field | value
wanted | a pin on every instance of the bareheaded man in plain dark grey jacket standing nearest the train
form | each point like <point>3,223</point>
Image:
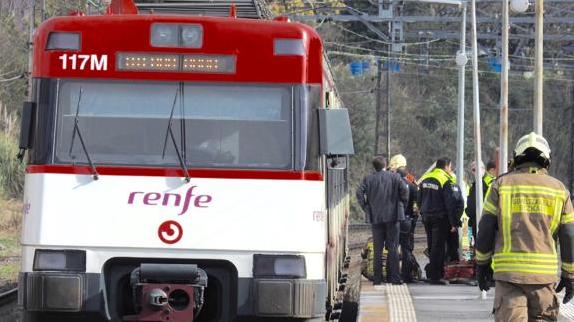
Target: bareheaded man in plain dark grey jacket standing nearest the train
<point>382,196</point>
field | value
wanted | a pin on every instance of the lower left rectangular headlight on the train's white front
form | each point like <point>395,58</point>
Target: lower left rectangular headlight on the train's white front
<point>60,260</point>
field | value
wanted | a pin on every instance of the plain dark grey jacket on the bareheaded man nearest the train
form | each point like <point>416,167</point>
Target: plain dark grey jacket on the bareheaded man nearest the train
<point>382,196</point>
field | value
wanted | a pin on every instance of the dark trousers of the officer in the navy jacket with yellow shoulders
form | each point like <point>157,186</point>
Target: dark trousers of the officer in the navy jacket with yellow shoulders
<point>439,231</point>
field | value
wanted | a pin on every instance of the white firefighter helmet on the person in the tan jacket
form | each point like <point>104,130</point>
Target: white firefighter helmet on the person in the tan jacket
<point>534,148</point>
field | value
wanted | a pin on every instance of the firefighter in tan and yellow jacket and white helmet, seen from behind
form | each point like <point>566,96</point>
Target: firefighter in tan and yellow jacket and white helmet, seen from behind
<point>525,212</point>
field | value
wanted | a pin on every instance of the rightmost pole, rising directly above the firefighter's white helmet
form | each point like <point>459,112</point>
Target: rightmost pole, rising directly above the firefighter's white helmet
<point>539,79</point>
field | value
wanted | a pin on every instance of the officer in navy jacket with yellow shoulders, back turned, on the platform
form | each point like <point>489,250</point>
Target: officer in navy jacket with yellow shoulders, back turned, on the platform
<point>438,209</point>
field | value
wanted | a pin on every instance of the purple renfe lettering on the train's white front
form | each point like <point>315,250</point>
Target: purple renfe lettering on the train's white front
<point>170,199</point>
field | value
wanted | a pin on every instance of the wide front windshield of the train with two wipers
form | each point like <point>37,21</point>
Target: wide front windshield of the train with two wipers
<point>149,123</point>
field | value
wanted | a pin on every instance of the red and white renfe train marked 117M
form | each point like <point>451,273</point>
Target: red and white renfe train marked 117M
<point>182,168</point>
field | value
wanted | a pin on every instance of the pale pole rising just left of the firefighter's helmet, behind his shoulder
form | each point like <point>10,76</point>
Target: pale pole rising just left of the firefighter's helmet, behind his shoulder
<point>503,132</point>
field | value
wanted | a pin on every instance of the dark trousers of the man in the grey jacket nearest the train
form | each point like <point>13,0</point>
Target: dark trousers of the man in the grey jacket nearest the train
<point>386,235</point>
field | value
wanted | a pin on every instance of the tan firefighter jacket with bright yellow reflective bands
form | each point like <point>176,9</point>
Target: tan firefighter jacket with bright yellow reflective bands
<point>525,212</point>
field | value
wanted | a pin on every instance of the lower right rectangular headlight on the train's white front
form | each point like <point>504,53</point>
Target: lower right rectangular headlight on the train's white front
<point>279,266</point>
